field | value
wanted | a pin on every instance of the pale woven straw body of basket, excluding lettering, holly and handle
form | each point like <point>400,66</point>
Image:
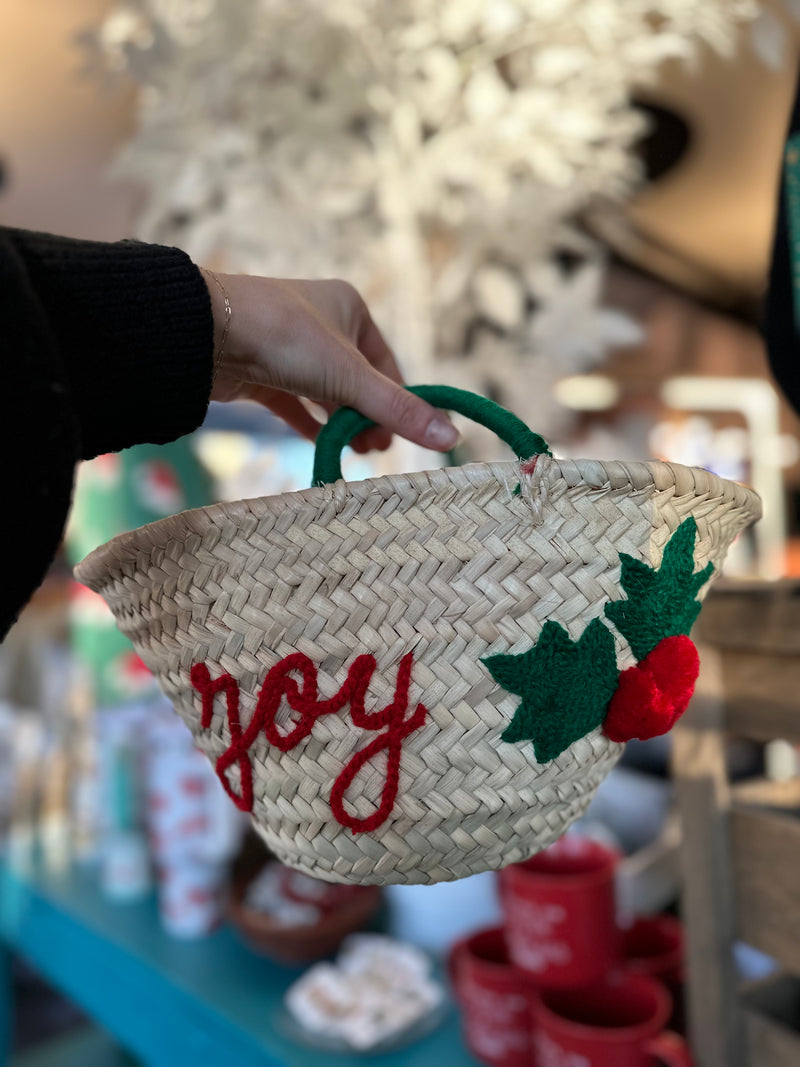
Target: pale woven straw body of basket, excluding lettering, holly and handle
<point>451,566</point>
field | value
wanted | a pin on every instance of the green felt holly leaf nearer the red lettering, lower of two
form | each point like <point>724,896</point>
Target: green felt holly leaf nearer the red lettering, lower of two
<point>566,687</point>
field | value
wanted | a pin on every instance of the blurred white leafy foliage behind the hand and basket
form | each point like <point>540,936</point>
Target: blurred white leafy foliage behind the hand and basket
<point>430,151</point>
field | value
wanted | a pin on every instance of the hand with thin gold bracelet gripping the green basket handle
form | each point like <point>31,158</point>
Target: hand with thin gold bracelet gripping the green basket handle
<point>316,340</point>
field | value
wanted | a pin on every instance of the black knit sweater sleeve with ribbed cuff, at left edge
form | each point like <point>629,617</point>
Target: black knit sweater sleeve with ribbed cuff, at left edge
<point>104,346</point>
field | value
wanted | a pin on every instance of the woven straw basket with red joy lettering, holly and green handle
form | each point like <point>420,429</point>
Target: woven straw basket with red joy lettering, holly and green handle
<point>331,649</point>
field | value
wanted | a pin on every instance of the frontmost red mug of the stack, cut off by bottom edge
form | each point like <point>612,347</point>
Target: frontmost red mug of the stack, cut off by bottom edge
<point>619,1023</point>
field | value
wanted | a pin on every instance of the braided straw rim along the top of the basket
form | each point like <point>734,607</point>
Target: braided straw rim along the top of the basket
<point>127,549</point>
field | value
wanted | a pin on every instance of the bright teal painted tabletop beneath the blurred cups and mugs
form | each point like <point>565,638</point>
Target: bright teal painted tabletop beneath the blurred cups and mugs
<point>204,1002</point>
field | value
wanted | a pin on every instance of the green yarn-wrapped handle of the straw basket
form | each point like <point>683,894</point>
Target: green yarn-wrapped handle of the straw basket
<point>345,424</point>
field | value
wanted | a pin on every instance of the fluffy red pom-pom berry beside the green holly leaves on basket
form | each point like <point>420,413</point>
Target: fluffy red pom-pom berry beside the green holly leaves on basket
<point>652,696</point>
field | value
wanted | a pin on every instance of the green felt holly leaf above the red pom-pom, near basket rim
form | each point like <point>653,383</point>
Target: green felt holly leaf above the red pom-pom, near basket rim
<point>662,601</point>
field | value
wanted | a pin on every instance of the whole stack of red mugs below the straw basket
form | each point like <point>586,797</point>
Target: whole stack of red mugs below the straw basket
<point>561,984</point>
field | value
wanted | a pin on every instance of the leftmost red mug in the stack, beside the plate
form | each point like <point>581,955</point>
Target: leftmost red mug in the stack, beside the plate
<point>495,1000</point>
